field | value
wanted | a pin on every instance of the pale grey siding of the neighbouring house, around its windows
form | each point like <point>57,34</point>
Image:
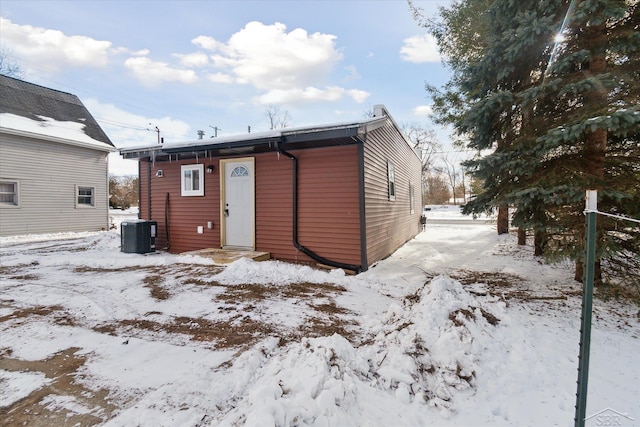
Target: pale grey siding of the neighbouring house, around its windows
<point>48,173</point>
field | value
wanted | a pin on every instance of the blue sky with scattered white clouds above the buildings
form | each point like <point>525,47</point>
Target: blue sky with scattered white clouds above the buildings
<point>186,66</point>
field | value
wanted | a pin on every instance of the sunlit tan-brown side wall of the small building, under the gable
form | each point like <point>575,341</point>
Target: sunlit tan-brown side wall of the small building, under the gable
<point>389,224</point>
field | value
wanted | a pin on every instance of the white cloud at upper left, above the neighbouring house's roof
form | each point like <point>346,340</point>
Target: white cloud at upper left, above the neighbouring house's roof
<point>52,50</point>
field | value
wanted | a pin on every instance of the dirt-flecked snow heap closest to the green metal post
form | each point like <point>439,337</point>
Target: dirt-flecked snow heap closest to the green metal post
<point>427,352</point>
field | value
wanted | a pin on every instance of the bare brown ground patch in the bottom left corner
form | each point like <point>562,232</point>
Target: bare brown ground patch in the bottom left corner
<point>39,408</point>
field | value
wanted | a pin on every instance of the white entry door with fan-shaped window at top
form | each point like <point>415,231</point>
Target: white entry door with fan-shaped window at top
<point>237,203</point>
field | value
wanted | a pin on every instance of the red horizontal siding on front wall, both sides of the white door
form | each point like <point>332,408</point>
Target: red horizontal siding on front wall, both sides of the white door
<point>328,208</point>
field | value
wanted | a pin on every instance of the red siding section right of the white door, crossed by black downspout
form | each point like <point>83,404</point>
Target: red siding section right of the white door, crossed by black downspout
<point>328,215</point>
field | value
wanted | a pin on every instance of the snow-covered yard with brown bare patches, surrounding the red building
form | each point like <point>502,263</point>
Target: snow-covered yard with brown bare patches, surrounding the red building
<point>460,327</point>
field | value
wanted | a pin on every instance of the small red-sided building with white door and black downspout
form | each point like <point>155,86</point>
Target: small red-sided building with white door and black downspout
<point>344,195</point>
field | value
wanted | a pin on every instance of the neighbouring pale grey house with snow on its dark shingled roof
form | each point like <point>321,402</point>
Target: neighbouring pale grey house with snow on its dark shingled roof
<point>53,162</point>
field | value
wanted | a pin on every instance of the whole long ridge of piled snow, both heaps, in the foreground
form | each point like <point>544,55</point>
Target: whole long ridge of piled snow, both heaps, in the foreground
<point>422,354</point>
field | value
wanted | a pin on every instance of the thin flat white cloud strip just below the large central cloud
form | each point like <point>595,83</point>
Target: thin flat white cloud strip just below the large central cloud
<point>309,94</point>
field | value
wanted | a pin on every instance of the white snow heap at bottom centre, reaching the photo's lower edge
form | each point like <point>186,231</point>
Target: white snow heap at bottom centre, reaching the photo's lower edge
<point>314,382</point>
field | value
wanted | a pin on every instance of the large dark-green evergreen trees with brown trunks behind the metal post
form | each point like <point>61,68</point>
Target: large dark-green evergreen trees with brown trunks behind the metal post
<point>547,93</point>
